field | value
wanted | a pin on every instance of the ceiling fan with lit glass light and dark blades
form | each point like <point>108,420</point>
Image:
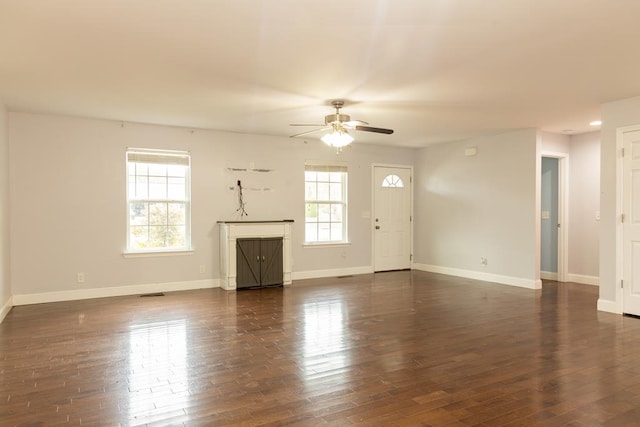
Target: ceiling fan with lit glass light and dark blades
<point>338,126</point>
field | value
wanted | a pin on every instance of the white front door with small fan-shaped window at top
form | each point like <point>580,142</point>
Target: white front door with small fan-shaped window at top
<point>392,218</point>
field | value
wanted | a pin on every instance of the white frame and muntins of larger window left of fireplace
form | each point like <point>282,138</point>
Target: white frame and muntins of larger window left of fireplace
<point>136,156</point>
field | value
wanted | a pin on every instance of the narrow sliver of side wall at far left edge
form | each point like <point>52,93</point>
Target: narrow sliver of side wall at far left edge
<point>5,276</point>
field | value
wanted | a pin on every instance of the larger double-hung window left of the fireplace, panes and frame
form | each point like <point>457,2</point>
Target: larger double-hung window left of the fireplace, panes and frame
<point>158,198</point>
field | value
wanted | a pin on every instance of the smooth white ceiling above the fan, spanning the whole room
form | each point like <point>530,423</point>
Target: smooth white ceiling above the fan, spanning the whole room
<point>433,70</point>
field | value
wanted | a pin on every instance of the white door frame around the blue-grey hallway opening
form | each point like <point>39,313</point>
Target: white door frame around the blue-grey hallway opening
<point>563,212</point>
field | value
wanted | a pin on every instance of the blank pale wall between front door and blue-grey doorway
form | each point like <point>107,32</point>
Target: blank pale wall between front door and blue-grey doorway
<point>479,206</point>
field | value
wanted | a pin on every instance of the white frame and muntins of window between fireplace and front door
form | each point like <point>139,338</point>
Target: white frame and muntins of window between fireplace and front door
<point>327,167</point>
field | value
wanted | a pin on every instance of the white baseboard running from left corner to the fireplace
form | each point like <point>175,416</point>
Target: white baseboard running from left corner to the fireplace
<point>113,291</point>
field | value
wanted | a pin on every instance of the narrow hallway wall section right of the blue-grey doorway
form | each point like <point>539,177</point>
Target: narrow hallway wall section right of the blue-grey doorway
<point>584,203</point>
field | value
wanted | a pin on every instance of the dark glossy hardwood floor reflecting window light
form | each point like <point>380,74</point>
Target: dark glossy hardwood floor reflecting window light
<point>400,349</point>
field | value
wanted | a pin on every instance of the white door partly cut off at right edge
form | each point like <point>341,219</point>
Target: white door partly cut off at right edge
<point>631,223</point>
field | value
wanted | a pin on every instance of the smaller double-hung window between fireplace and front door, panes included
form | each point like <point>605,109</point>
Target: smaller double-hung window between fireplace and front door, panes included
<point>325,203</point>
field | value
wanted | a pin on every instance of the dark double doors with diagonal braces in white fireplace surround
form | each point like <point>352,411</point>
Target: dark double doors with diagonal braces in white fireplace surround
<point>259,262</point>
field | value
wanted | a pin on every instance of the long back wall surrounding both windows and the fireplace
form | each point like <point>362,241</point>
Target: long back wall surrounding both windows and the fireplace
<point>68,202</point>
